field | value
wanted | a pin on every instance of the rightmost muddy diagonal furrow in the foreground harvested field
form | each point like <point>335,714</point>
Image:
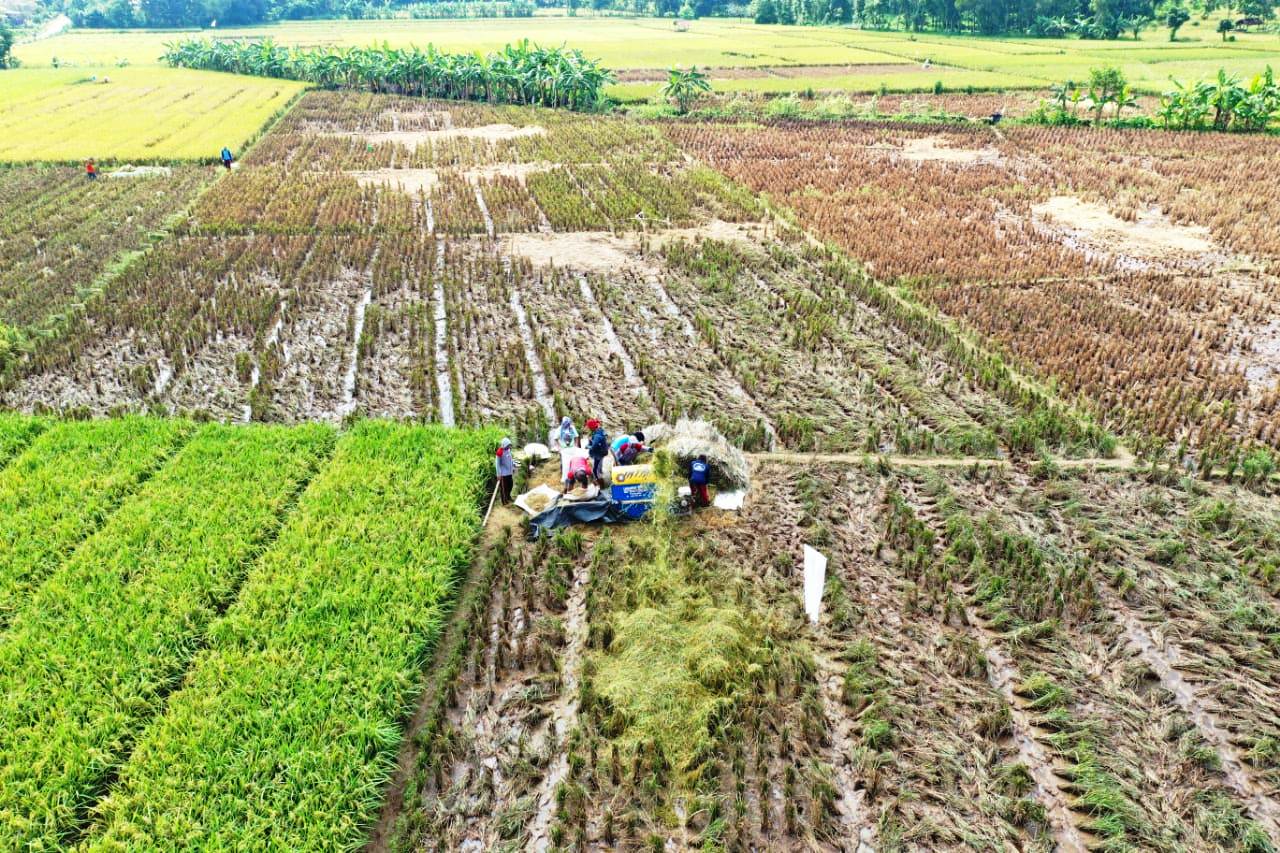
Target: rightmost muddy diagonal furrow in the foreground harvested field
<point>1261,805</point>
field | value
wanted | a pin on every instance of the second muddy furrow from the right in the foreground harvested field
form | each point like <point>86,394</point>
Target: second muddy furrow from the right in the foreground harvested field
<point>1003,677</point>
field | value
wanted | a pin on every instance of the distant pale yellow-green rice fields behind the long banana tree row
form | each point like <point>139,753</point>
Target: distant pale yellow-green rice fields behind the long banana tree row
<point>836,58</point>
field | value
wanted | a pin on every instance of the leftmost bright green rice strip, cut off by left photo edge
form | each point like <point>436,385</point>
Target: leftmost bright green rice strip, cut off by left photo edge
<point>65,486</point>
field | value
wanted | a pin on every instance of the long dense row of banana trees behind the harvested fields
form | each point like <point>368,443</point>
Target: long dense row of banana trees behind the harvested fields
<point>520,74</point>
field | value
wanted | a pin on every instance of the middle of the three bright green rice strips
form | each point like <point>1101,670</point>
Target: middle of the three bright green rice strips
<point>124,617</point>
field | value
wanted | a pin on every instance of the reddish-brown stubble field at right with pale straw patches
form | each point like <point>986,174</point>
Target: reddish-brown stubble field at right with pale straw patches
<point>1136,268</point>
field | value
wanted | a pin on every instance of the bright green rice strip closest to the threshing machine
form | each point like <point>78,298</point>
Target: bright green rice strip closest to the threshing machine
<point>286,729</point>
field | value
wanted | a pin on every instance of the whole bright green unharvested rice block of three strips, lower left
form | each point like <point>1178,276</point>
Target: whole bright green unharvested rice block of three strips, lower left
<point>258,589</point>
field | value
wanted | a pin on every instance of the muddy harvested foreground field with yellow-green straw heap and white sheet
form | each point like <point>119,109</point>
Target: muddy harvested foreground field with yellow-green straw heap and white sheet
<point>998,667</point>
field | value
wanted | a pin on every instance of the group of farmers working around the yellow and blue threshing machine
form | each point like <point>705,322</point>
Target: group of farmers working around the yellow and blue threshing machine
<point>584,475</point>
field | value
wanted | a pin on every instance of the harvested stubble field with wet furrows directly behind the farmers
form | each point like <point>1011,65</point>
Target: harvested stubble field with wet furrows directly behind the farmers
<point>469,264</point>
